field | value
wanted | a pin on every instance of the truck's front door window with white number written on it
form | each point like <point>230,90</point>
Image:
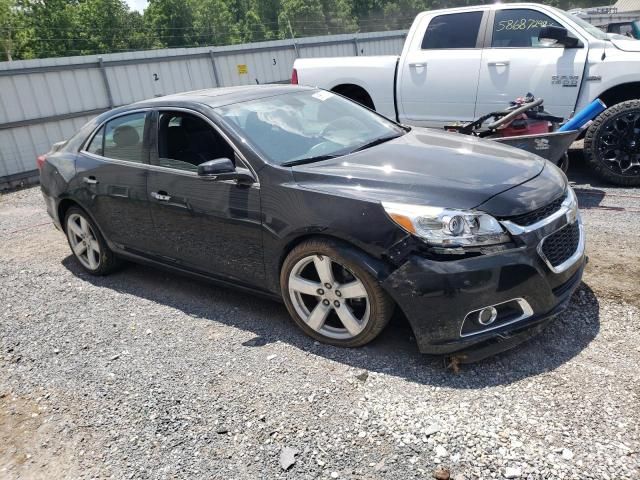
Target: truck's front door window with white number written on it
<point>519,28</point>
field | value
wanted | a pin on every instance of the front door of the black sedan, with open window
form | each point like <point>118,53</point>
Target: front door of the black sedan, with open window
<point>209,226</point>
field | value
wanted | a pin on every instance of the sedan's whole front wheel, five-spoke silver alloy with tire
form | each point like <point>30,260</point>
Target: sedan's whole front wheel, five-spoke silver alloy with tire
<point>332,299</point>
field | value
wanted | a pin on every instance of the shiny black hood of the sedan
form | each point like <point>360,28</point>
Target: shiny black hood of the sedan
<point>425,167</point>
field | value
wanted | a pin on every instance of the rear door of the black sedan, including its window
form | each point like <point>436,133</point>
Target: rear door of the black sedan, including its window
<point>113,180</point>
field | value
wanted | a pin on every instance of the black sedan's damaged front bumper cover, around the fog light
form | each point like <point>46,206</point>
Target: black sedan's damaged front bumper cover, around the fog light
<point>436,296</point>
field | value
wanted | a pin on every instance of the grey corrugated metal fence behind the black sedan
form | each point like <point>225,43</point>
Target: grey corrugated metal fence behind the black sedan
<point>47,100</point>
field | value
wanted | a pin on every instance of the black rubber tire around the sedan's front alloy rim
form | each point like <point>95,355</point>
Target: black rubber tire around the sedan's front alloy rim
<point>381,305</point>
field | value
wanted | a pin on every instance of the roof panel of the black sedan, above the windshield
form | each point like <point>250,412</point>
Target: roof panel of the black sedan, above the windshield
<point>217,97</point>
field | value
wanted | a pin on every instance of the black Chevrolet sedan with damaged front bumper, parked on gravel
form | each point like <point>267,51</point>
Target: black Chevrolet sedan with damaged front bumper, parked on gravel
<point>300,194</point>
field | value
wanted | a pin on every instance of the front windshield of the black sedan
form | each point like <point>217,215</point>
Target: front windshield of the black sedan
<point>307,126</point>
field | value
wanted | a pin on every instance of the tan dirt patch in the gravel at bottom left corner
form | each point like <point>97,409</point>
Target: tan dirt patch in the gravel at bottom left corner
<point>31,444</point>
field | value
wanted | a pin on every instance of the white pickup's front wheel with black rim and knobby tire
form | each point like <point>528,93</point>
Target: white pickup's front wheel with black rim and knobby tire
<point>612,144</point>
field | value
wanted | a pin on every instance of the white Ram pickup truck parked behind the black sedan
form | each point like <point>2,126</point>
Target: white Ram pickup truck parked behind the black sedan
<point>460,63</point>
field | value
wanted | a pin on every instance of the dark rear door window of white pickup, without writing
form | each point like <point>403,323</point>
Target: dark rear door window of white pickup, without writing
<point>458,30</point>
